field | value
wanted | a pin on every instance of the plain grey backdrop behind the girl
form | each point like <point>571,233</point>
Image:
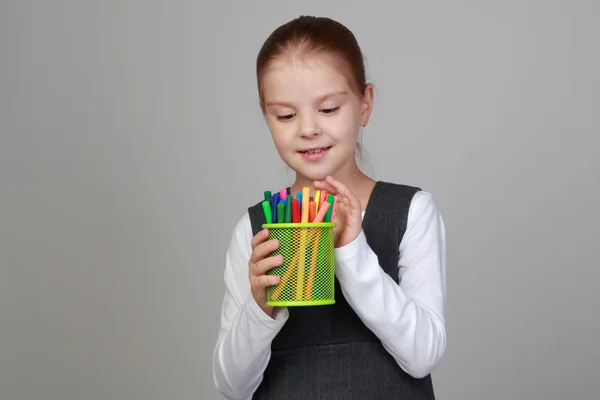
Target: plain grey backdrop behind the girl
<point>126,124</point>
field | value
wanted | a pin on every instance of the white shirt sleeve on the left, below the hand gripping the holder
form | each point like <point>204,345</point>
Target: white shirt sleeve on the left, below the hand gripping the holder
<point>243,347</point>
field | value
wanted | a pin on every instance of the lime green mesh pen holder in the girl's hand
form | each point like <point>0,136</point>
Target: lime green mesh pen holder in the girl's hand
<point>307,273</point>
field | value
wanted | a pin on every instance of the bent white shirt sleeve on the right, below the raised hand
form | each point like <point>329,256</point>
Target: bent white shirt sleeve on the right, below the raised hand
<point>409,317</point>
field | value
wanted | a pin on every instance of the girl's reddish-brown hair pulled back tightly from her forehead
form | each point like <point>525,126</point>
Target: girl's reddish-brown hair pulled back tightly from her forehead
<point>308,34</point>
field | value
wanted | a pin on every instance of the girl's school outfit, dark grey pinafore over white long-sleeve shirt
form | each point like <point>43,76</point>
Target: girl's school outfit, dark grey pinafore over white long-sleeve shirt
<point>382,337</point>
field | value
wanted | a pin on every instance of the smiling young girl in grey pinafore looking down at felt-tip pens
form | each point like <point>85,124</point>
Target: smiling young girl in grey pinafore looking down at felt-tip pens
<point>386,332</point>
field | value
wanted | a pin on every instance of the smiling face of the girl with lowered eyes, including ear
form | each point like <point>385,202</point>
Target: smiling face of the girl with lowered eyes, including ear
<point>313,115</point>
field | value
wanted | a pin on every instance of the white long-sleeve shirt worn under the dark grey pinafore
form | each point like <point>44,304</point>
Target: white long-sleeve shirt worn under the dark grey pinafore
<point>408,318</point>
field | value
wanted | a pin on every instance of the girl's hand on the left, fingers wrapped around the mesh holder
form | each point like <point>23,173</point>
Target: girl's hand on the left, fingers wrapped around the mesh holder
<point>259,264</point>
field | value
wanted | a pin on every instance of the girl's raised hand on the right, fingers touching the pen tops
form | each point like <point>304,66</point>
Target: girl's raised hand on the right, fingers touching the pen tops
<point>348,212</point>
